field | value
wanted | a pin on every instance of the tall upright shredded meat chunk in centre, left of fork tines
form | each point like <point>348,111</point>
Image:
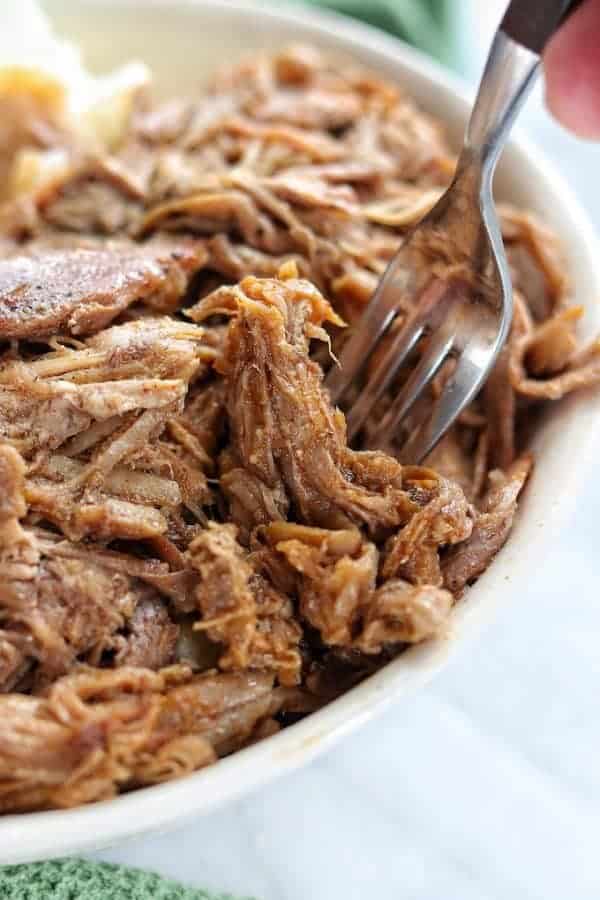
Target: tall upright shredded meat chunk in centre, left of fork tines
<point>284,431</point>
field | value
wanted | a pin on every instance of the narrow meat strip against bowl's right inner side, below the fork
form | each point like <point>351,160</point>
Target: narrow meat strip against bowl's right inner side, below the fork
<point>465,562</point>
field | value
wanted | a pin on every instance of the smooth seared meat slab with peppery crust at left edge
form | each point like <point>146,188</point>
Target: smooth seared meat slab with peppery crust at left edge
<point>81,291</point>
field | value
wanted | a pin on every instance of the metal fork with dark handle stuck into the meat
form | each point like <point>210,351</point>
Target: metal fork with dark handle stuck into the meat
<point>449,284</point>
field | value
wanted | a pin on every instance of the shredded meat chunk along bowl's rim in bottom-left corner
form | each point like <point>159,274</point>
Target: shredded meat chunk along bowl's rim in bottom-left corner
<point>98,731</point>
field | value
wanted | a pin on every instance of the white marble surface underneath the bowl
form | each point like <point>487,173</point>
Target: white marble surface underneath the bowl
<point>485,786</point>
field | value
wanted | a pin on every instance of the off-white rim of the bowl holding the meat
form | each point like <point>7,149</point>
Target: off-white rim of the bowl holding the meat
<point>32,836</point>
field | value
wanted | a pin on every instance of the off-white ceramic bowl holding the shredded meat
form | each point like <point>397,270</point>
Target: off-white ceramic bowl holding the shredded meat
<point>182,42</point>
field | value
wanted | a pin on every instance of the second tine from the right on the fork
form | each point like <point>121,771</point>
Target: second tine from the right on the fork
<point>441,344</point>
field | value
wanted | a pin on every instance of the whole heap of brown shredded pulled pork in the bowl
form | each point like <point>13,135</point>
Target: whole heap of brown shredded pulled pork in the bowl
<point>191,553</point>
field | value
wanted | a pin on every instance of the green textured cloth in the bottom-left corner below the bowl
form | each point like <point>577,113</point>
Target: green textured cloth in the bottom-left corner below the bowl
<point>79,879</point>
